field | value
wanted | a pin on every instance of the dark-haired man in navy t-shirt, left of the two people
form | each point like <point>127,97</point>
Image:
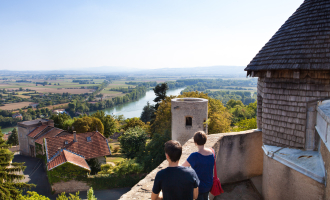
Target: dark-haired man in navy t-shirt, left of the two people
<point>176,182</point>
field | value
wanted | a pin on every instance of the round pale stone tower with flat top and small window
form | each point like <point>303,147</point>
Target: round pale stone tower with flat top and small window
<point>188,117</point>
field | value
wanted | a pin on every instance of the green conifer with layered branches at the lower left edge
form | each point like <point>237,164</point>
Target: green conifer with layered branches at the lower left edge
<point>9,176</point>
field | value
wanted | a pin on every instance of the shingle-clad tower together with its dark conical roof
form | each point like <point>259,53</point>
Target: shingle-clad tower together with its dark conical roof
<point>294,73</point>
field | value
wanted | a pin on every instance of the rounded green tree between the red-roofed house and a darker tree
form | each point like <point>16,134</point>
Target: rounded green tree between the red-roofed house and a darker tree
<point>132,140</point>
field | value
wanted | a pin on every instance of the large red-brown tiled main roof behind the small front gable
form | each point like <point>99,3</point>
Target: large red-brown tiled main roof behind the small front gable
<point>98,146</point>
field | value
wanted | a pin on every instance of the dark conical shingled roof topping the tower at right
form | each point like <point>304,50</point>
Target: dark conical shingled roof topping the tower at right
<point>302,43</point>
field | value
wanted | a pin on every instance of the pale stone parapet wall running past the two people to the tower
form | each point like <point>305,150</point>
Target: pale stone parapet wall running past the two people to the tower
<point>239,157</point>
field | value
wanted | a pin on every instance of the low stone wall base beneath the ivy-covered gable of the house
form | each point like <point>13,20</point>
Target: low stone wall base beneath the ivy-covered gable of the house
<point>69,186</point>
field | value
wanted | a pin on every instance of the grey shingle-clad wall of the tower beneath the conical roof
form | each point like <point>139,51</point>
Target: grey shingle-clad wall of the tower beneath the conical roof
<point>288,110</point>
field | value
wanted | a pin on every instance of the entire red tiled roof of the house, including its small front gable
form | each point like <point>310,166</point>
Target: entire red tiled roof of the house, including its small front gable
<point>76,149</point>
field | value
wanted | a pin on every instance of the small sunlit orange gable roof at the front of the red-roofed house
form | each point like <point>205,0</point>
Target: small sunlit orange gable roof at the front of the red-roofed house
<point>67,156</point>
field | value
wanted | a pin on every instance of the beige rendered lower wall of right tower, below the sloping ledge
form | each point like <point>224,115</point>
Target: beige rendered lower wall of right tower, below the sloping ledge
<point>281,182</point>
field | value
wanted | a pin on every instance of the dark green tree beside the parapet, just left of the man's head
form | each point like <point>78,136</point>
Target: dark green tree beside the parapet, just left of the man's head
<point>151,155</point>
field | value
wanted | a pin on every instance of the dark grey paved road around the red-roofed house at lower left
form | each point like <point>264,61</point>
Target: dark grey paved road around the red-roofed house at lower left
<point>36,174</point>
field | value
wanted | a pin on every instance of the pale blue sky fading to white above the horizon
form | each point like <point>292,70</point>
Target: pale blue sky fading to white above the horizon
<point>148,34</point>
